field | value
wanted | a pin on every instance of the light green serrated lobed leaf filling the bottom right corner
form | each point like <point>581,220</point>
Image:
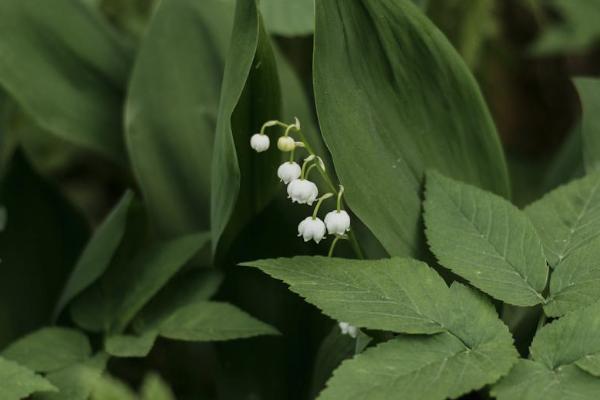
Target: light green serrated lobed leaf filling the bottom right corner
<point>561,351</point>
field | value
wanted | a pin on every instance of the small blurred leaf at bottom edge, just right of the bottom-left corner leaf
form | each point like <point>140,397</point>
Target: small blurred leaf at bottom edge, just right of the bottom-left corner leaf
<point>77,381</point>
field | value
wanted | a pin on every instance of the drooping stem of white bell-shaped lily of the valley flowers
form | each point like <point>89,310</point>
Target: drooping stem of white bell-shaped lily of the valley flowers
<point>300,188</point>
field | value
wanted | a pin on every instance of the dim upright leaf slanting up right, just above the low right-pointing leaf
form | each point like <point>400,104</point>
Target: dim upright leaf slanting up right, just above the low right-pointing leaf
<point>126,288</point>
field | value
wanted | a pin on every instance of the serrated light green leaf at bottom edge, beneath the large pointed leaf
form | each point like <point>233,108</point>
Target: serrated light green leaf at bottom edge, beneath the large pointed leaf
<point>423,367</point>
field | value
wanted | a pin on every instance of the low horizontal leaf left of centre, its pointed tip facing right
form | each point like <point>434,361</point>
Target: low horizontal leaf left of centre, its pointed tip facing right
<point>211,321</point>
